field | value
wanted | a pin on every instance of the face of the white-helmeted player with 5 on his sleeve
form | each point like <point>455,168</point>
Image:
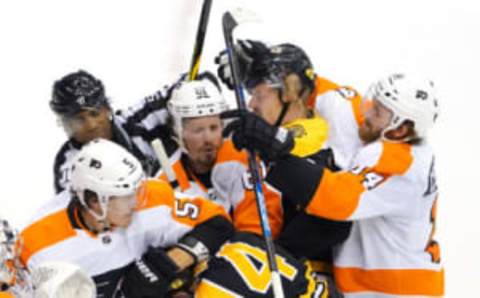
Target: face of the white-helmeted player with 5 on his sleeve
<point>121,209</point>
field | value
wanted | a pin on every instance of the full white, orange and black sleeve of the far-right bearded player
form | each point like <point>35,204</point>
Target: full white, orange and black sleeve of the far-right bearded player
<point>375,186</point>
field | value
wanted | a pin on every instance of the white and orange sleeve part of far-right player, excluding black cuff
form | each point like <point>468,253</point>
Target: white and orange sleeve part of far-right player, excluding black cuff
<point>375,186</point>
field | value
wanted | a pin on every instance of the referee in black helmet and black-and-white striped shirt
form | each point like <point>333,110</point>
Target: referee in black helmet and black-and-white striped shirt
<point>84,111</point>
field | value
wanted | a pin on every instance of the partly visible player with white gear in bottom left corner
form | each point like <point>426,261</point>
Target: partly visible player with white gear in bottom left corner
<point>49,280</point>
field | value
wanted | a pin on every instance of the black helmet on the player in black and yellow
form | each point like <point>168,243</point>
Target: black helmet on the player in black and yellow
<point>274,65</point>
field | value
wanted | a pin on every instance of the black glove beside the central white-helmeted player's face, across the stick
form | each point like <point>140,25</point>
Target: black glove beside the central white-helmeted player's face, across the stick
<point>252,132</point>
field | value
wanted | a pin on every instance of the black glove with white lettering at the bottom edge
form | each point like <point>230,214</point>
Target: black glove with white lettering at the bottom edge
<point>154,275</point>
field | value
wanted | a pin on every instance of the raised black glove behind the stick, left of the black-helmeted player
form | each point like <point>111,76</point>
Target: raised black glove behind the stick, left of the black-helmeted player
<point>247,51</point>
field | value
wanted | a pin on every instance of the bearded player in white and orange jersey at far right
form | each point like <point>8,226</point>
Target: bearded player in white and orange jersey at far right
<point>389,192</point>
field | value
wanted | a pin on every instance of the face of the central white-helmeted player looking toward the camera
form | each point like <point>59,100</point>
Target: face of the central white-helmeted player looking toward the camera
<point>203,137</point>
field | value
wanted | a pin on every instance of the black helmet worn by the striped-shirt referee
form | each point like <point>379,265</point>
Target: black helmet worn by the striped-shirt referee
<point>76,91</point>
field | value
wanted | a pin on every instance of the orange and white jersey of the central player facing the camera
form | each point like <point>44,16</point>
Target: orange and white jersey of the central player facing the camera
<point>229,185</point>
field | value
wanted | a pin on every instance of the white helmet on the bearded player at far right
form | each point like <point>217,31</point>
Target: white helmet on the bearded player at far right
<point>408,98</point>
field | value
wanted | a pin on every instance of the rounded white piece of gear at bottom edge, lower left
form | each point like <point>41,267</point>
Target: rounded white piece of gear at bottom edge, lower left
<point>60,280</point>
